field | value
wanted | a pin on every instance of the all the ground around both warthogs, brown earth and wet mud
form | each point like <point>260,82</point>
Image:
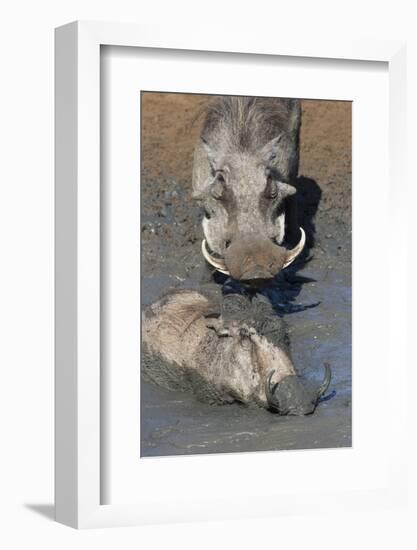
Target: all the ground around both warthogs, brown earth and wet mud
<point>174,423</point>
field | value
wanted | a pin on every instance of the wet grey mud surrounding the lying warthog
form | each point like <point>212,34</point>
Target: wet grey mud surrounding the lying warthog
<point>176,423</point>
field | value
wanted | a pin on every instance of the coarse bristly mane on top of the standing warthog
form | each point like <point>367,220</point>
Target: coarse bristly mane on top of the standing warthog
<point>248,123</point>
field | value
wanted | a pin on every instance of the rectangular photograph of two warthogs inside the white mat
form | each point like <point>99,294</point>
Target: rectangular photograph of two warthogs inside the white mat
<point>246,274</point>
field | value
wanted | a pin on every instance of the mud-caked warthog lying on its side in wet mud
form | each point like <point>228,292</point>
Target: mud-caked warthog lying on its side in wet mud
<point>224,350</point>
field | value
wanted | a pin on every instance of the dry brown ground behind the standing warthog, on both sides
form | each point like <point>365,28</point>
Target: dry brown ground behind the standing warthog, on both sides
<point>171,124</point>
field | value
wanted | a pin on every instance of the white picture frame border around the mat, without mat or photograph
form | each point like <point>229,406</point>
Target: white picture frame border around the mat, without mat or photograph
<point>78,410</point>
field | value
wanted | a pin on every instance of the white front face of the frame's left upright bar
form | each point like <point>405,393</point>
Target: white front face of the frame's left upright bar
<point>88,275</point>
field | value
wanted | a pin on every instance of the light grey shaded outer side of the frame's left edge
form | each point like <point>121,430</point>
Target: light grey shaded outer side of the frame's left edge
<point>66,346</point>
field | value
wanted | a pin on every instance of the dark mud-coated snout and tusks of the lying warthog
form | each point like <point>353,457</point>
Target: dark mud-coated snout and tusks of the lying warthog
<point>291,397</point>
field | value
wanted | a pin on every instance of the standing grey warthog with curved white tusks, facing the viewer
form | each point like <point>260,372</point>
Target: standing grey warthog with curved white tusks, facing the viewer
<point>244,166</point>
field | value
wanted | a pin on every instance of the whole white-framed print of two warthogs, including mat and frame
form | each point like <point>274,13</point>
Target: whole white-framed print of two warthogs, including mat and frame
<point>216,203</point>
